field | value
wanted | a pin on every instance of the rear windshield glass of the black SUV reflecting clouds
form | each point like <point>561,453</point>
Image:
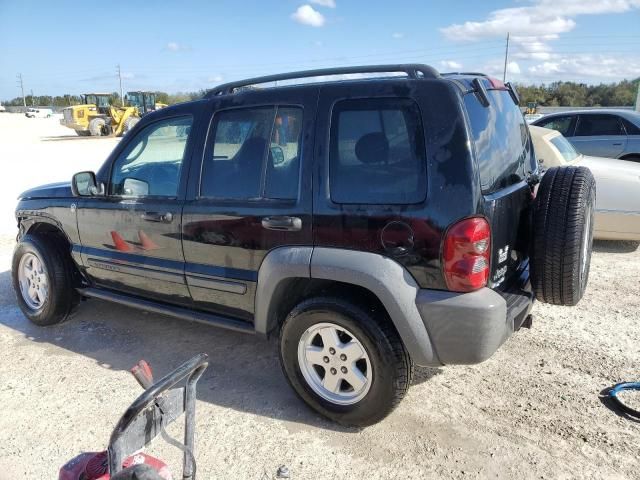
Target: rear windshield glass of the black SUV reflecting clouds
<point>501,138</point>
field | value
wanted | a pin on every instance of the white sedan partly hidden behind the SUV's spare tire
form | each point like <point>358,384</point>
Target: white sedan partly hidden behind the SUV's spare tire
<point>617,215</point>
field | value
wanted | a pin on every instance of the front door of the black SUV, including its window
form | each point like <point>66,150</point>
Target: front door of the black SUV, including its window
<point>130,237</point>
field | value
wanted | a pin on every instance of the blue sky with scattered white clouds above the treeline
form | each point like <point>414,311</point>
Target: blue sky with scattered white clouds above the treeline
<point>73,47</point>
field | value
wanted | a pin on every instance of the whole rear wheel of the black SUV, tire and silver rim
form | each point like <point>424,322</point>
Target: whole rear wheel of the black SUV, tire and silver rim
<point>345,361</point>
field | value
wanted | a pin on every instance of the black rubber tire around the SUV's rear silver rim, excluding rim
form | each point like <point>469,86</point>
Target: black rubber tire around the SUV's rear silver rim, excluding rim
<point>391,367</point>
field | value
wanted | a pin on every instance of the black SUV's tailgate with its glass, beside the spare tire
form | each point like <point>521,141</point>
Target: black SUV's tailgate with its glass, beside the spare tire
<point>504,153</point>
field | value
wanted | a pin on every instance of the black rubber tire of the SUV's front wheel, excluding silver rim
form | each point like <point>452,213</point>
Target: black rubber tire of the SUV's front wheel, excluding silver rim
<point>62,297</point>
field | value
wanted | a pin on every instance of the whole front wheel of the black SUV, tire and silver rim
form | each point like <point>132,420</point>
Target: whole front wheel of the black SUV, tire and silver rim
<point>43,280</point>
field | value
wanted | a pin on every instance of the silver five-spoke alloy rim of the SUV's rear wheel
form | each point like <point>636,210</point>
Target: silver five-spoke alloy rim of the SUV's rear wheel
<point>334,363</point>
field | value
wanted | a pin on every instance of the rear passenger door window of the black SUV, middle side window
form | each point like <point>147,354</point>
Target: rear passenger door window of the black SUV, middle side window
<point>255,154</point>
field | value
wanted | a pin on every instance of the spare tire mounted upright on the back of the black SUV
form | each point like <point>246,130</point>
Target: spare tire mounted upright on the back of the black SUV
<point>563,235</point>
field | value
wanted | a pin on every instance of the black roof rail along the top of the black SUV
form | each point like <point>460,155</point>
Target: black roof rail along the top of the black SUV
<point>413,71</point>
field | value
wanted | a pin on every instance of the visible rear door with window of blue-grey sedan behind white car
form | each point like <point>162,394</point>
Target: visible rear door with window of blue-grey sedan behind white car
<point>600,135</point>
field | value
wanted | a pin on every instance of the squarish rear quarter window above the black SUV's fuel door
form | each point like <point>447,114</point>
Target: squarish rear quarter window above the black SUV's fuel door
<point>377,153</point>
